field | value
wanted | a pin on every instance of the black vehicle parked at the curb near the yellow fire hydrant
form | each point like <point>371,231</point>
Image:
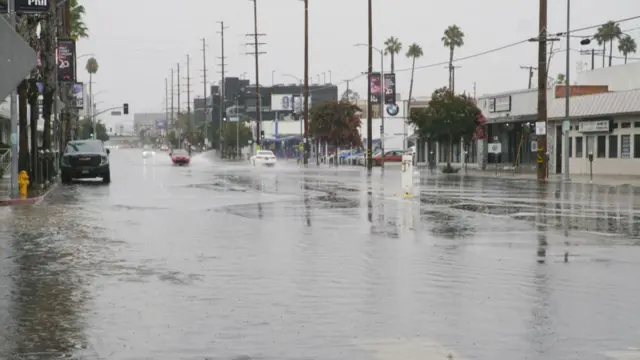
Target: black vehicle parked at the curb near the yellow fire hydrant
<point>83,159</point>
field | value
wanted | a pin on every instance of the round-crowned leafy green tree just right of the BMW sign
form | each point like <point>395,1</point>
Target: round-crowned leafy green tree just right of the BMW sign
<point>447,117</point>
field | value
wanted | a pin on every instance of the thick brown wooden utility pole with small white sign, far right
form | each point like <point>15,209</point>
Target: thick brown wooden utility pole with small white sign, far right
<point>542,157</point>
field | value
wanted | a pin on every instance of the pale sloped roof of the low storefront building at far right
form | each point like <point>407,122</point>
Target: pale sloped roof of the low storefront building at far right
<point>597,105</point>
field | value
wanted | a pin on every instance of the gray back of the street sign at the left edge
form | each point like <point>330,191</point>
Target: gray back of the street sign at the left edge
<point>17,58</point>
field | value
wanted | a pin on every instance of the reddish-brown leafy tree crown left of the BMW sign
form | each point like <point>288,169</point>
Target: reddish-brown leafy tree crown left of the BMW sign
<point>337,123</point>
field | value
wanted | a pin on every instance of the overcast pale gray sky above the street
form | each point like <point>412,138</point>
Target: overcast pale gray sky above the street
<point>138,42</point>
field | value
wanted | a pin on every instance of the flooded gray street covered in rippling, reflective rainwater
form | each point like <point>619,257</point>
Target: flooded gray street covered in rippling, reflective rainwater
<point>227,261</point>
